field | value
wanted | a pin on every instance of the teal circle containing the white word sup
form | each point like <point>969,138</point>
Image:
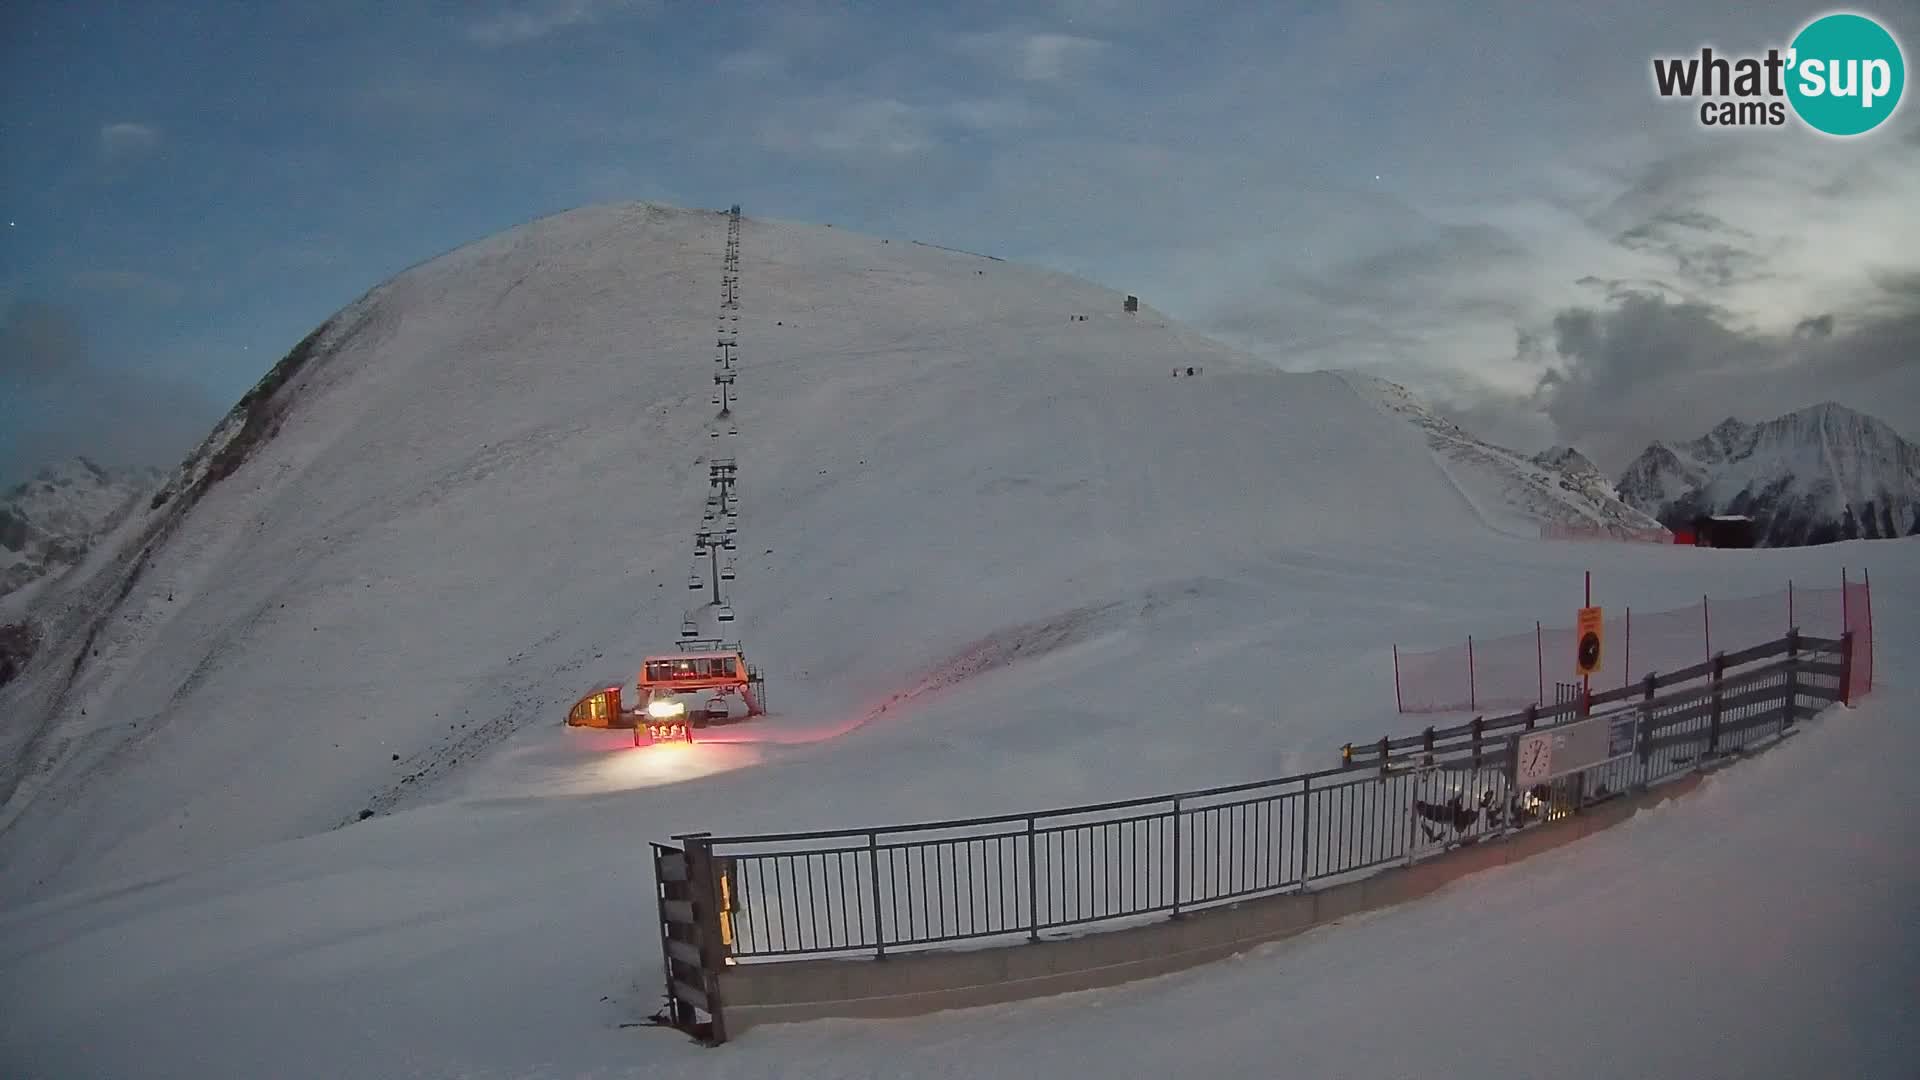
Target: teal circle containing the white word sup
<point>1846,74</point>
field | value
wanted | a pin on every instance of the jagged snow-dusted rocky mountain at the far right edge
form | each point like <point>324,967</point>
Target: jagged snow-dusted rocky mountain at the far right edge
<point>1810,478</point>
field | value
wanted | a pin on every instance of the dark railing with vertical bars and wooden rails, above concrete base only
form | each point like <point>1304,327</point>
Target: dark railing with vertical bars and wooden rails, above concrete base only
<point>1028,875</point>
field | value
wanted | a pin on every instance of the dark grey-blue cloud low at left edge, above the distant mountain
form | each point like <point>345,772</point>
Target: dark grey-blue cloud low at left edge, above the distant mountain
<point>57,401</point>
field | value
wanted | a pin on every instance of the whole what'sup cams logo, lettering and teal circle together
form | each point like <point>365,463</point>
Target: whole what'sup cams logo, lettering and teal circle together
<point>1842,76</point>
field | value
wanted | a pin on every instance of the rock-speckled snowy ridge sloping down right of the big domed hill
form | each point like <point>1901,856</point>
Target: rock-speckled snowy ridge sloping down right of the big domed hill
<point>1512,491</point>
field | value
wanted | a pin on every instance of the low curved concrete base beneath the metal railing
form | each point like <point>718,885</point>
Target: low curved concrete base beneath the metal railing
<point>909,985</point>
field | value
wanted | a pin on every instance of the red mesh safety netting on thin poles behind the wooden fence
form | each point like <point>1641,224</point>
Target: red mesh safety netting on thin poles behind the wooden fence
<point>1522,670</point>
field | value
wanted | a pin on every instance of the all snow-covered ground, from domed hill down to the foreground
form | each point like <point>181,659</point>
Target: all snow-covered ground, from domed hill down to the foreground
<point>992,558</point>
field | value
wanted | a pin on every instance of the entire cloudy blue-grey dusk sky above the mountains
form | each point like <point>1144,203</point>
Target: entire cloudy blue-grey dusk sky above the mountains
<point>1485,203</point>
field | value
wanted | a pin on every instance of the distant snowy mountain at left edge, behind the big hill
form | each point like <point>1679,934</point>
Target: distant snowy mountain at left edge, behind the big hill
<point>49,522</point>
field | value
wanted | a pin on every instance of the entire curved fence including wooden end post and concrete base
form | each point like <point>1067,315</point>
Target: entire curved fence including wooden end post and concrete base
<point>909,920</point>
